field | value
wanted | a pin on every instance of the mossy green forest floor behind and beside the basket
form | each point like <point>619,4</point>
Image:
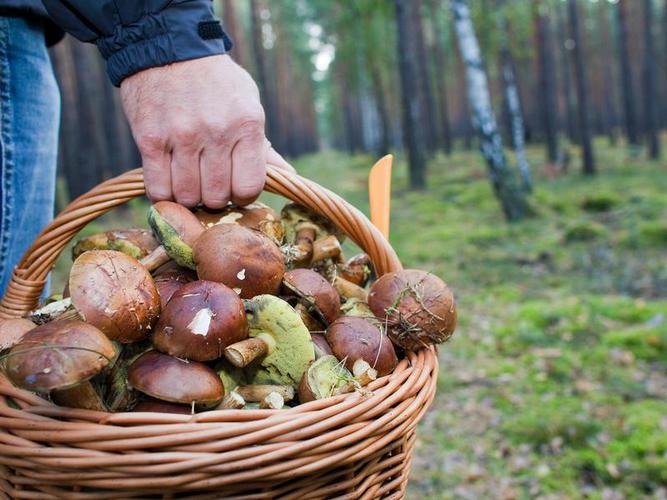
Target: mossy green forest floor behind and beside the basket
<point>555,383</point>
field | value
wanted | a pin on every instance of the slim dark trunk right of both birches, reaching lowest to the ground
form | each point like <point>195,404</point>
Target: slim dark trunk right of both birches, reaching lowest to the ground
<point>582,90</point>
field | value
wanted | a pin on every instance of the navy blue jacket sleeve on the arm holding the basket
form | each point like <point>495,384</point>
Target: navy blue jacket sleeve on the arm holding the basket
<point>133,35</point>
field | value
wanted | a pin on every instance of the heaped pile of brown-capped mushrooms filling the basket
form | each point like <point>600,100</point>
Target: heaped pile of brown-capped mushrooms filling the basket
<point>232,309</point>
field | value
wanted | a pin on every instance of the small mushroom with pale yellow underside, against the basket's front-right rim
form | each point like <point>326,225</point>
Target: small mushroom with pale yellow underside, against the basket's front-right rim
<point>322,379</point>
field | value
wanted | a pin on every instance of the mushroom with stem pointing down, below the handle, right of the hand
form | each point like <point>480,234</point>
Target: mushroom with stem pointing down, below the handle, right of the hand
<point>302,228</point>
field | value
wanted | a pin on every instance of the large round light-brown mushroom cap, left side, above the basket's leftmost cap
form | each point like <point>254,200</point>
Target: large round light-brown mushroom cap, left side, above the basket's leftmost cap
<point>115,293</point>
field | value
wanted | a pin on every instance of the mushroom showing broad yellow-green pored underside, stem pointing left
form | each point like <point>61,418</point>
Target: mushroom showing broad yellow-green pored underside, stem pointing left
<point>279,342</point>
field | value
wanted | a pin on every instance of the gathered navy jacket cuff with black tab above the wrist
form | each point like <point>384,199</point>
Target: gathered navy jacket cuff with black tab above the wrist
<point>184,30</point>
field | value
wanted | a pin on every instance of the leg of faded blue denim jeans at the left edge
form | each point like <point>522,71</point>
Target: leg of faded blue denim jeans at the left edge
<point>29,117</point>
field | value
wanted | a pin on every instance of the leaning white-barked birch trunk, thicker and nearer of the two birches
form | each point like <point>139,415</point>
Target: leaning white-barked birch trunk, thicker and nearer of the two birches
<point>512,199</point>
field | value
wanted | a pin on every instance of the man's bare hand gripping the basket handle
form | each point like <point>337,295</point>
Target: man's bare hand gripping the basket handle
<point>199,125</point>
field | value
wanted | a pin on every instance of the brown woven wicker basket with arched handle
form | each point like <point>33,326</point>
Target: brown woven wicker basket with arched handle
<point>348,446</point>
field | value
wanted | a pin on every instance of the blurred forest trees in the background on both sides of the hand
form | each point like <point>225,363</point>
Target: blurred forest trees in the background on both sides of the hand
<point>377,76</point>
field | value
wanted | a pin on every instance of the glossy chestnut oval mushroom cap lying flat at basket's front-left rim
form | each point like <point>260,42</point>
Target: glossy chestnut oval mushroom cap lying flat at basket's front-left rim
<point>175,380</point>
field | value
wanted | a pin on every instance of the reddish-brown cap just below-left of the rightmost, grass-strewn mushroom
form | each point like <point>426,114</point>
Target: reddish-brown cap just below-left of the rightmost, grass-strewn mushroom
<point>352,338</point>
